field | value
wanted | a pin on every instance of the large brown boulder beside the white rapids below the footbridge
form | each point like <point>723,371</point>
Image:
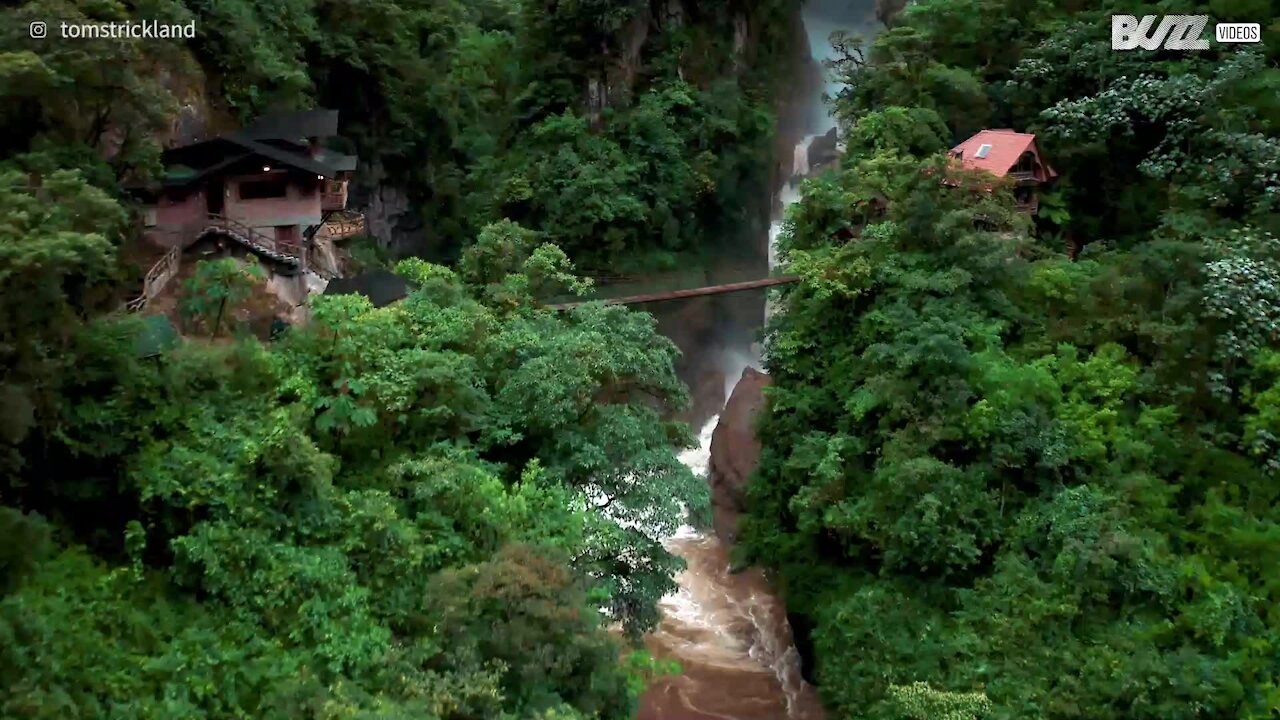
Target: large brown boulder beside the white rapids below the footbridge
<point>735,453</point>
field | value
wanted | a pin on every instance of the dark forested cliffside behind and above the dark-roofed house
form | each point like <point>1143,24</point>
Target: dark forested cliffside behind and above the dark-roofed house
<point>476,111</point>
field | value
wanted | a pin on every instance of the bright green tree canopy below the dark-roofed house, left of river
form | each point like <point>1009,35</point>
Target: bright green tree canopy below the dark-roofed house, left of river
<point>387,512</point>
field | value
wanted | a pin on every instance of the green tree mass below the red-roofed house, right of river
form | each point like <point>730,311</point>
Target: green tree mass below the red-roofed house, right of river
<point>989,467</point>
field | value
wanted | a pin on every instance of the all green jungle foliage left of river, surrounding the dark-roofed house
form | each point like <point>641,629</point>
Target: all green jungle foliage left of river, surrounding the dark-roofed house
<point>433,511</point>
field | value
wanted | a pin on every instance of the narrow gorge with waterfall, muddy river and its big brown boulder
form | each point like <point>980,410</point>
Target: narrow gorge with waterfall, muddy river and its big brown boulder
<point>726,628</point>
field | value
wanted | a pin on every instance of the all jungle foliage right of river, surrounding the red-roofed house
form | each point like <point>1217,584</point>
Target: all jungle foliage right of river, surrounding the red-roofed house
<point>1039,487</point>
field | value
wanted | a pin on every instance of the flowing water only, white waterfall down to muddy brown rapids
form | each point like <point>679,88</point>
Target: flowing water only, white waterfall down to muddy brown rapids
<point>728,631</point>
